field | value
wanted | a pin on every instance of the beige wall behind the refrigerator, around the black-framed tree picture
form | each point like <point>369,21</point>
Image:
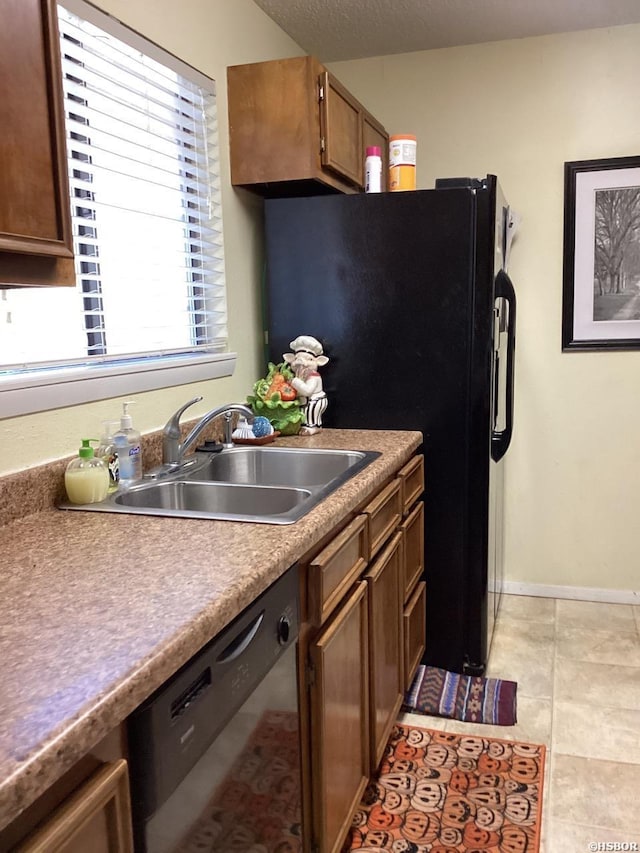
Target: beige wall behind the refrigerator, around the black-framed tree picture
<point>520,109</point>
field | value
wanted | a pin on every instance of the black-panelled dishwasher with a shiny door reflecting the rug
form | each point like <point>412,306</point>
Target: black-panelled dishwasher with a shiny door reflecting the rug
<point>215,752</point>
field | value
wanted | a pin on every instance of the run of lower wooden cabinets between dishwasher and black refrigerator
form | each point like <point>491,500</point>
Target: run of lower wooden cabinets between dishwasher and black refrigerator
<point>361,640</point>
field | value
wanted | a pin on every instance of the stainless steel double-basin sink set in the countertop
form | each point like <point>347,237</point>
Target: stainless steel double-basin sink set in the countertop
<point>269,485</point>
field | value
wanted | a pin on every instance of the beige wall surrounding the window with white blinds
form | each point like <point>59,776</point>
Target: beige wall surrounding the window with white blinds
<point>208,34</point>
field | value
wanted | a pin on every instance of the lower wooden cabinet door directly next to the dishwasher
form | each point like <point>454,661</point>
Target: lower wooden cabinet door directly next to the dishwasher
<point>339,700</point>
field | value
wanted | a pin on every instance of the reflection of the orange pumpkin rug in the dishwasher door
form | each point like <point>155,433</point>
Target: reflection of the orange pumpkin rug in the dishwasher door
<point>257,807</point>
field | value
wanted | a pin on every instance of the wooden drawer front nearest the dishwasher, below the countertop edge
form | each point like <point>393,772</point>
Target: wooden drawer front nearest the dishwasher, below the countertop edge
<point>336,568</point>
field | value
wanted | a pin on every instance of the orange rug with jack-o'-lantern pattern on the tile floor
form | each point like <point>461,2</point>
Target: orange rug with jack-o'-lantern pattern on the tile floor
<point>437,792</point>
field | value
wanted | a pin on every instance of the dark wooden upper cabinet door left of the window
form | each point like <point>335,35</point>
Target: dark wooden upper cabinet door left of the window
<point>34,193</point>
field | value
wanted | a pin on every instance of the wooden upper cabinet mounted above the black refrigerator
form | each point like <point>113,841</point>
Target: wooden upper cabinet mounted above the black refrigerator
<point>294,129</point>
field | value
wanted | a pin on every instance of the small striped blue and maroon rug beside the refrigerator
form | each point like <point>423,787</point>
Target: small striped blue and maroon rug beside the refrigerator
<point>468,698</point>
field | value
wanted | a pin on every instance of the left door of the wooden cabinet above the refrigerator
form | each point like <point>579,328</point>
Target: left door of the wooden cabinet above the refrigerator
<point>341,129</point>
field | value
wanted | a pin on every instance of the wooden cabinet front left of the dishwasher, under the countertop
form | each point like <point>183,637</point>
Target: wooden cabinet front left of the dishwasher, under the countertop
<point>96,817</point>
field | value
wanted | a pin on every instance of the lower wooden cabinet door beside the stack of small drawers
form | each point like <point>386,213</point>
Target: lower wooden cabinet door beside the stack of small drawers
<point>385,646</point>
